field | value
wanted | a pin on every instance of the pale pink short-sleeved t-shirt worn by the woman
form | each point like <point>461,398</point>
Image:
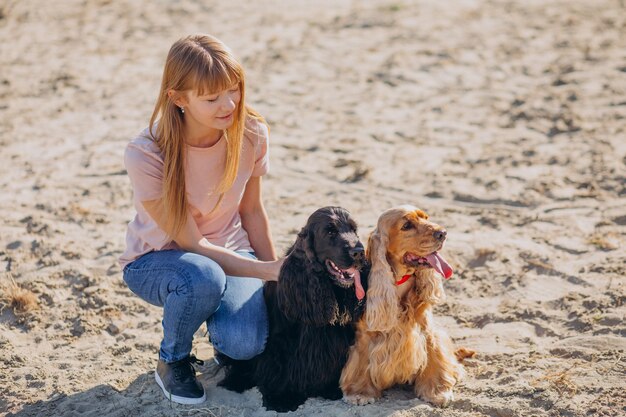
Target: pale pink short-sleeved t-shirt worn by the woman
<point>204,169</point>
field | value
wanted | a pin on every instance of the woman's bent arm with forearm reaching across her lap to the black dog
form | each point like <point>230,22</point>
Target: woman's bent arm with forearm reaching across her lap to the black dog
<point>190,239</point>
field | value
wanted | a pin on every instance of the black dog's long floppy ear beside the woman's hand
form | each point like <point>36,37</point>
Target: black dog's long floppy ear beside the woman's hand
<point>304,296</point>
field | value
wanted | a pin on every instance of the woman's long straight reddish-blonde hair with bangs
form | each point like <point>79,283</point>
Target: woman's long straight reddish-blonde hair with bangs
<point>204,64</point>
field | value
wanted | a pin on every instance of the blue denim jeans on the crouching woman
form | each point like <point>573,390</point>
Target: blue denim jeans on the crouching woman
<point>193,289</point>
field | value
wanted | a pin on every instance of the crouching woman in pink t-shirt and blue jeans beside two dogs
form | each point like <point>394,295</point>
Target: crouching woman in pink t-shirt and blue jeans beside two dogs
<point>200,224</point>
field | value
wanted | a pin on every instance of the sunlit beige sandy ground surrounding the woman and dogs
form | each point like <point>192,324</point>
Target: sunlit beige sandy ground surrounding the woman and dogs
<point>504,120</point>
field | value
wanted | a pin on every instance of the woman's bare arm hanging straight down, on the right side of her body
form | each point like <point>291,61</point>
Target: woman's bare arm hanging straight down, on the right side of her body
<point>254,221</point>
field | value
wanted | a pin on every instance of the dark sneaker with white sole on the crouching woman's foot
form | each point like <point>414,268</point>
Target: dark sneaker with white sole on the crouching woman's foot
<point>178,381</point>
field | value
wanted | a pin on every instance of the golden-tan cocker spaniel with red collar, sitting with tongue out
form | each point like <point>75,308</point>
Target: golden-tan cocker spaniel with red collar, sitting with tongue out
<point>397,340</point>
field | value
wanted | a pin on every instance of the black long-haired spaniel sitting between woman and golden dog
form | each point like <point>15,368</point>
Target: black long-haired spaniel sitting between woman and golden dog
<point>313,309</point>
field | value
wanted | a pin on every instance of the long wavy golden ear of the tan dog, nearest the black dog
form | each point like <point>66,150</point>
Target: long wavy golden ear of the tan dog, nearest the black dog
<point>382,308</point>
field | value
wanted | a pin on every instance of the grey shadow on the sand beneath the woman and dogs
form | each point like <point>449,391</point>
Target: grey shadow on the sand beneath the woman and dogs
<point>143,398</point>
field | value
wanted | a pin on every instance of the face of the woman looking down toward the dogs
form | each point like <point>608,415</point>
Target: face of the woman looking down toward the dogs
<point>213,111</point>
